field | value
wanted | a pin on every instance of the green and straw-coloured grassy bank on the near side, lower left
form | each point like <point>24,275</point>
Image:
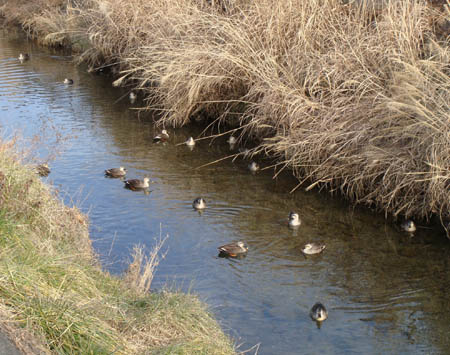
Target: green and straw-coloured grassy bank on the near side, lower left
<point>54,297</point>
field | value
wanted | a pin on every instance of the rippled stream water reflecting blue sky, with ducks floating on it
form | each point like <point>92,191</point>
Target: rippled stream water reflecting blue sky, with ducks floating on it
<point>385,291</point>
